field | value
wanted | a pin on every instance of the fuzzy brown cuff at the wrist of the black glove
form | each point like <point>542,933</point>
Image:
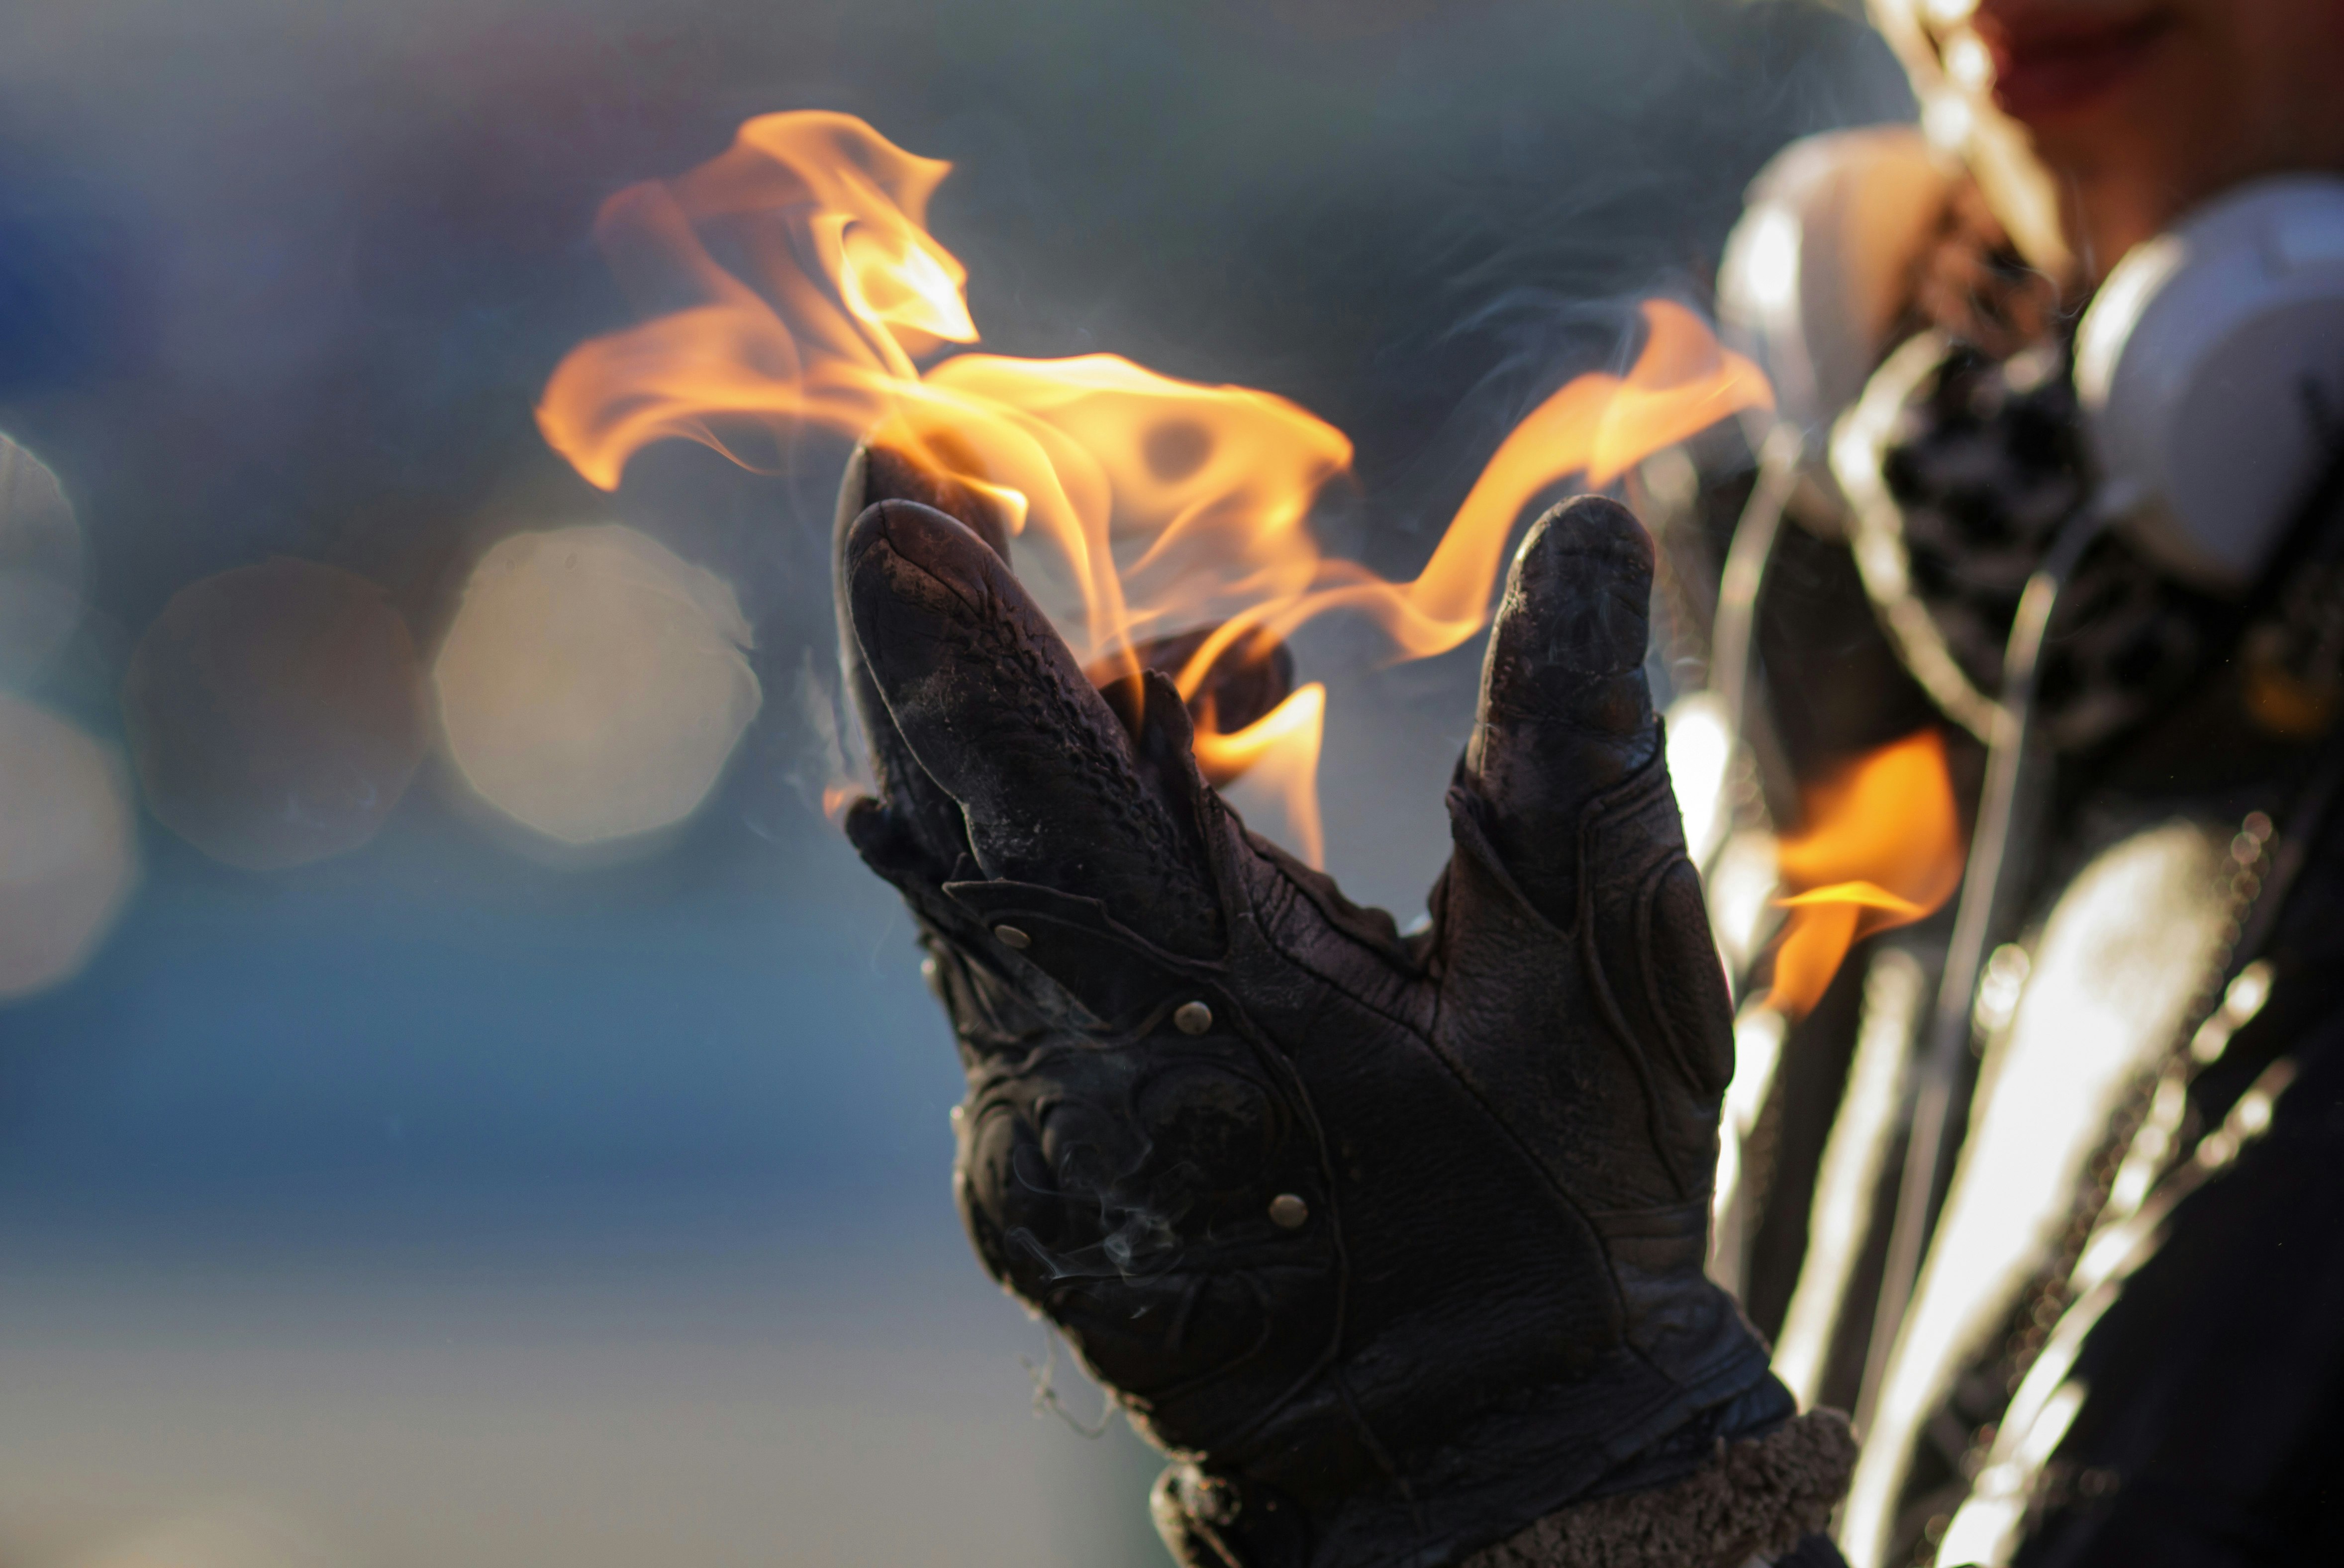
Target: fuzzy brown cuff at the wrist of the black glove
<point>1754,1501</point>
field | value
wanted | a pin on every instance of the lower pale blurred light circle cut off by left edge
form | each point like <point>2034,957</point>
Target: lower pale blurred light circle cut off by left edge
<point>69,852</point>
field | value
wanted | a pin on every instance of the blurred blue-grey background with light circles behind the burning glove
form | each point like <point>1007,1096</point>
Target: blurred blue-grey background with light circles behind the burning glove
<point>510,1129</point>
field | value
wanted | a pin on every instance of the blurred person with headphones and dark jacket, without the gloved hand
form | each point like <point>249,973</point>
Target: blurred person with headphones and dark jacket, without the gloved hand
<point>2076,332</point>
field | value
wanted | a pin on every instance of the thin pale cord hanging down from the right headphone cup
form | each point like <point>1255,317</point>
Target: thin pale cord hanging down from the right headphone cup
<point>1965,955</point>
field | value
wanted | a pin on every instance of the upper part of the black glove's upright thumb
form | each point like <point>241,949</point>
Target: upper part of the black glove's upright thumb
<point>1565,707</point>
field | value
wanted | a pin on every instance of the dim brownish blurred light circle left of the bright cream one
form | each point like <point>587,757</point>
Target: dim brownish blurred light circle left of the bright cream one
<point>275,714</point>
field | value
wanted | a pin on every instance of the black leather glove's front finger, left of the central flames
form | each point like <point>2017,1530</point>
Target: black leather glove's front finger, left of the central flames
<point>995,709</point>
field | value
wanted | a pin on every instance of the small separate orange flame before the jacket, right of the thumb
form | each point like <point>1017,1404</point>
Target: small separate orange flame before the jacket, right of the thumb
<point>1881,850</point>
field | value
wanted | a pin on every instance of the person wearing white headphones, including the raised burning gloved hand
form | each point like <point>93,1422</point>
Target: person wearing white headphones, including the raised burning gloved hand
<point>1401,1243</point>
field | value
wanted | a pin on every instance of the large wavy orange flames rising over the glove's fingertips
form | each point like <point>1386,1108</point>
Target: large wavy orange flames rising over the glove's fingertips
<point>1143,505</point>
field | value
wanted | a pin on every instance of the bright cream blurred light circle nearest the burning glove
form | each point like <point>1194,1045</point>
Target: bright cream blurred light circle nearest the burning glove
<point>594,683</point>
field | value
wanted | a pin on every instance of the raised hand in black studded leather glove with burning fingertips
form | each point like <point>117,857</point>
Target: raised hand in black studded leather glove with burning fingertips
<point>1396,1243</point>
